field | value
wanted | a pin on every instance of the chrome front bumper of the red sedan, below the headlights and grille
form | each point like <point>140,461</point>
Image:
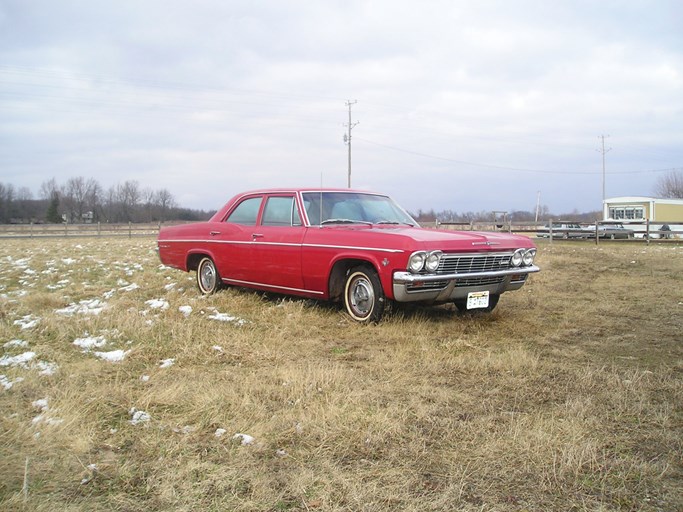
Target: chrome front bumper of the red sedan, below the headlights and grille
<point>410,287</point>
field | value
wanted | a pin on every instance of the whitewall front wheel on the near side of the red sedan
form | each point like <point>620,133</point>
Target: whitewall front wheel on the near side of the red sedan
<point>363,295</point>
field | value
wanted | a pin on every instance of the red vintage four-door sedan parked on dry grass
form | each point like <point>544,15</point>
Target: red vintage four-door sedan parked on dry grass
<point>360,248</point>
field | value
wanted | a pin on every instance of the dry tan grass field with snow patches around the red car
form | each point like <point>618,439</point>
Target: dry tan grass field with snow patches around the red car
<point>122,389</point>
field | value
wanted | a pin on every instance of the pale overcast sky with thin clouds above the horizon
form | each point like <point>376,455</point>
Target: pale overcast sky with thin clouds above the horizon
<point>455,105</point>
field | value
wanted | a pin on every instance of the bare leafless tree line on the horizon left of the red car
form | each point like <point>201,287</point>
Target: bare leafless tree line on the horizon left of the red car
<point>84,200</point>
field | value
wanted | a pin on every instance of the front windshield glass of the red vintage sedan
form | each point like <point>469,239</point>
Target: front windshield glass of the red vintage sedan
<point>353,207</point>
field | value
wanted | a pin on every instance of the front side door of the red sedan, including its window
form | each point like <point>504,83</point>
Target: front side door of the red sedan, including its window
<point>277,244</point>
